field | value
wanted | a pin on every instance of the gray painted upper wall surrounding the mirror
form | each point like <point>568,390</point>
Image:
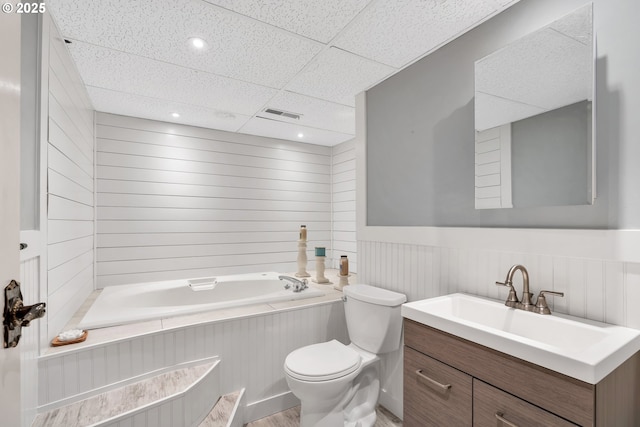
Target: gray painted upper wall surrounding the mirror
<point>420,128</point>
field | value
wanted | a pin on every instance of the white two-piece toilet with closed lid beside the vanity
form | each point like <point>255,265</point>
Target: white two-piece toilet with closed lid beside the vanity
<point>338,385</point>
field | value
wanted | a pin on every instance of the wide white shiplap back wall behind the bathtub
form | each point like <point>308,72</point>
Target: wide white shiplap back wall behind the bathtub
<point>178,201</point>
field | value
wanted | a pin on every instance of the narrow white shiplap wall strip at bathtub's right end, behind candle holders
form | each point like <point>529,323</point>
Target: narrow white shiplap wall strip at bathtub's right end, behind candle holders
<point>344,204</point>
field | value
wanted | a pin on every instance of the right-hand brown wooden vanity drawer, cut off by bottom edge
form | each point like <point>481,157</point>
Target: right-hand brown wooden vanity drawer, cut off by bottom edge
<point>493,407</point>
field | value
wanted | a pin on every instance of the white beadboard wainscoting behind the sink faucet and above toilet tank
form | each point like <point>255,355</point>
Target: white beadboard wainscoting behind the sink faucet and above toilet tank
<point>594,289</point>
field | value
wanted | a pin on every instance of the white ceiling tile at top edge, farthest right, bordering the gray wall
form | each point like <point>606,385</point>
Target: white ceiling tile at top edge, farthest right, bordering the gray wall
<point>398,32</point>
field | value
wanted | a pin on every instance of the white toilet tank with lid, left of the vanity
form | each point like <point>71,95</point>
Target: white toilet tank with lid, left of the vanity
<point>373,317</point>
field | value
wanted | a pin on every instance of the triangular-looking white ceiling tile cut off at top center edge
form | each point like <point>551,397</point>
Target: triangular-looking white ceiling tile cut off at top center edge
<point>318,20</point>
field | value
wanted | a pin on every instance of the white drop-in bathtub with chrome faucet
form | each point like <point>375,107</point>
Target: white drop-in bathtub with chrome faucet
<point>121,304</point>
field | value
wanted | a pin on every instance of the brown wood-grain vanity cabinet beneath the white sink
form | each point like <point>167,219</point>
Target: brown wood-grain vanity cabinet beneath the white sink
<point>484,387</point>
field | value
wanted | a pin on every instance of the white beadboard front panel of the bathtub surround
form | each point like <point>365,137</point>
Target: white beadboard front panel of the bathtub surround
<point>251,349</point>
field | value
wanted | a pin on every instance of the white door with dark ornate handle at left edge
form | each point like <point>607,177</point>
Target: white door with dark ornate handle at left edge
<point>10,401</point>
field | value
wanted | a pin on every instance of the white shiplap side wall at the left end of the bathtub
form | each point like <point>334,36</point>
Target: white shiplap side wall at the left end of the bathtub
<point>70,203</point>
